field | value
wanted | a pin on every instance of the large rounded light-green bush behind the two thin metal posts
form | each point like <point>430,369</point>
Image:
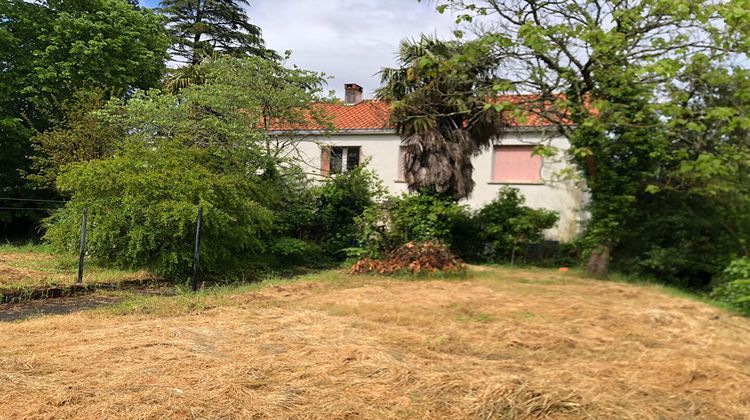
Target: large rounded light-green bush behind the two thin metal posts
<point>143,204</point>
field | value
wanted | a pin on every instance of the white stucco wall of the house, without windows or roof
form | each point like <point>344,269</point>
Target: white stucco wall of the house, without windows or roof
<point>555,192</point>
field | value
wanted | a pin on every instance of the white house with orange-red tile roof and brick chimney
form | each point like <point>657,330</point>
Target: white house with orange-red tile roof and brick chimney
<point>363,133</point>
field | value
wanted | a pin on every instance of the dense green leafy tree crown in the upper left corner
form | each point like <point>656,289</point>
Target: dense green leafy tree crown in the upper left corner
<point>57,47</point>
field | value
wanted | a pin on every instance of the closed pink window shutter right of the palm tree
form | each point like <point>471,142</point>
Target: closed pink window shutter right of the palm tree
<point>516,164</point>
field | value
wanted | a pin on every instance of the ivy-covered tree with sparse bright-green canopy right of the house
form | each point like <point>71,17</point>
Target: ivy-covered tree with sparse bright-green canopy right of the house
<point>600,69</point>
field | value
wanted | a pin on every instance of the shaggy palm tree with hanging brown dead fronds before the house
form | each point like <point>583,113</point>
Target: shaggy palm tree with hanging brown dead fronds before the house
<point>444,111</point>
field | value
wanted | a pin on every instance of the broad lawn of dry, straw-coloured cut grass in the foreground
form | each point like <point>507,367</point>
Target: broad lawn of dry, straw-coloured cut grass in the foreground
<point>500,343</point>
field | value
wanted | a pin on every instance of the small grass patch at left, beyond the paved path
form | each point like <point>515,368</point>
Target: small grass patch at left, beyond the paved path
<point>33,266</point>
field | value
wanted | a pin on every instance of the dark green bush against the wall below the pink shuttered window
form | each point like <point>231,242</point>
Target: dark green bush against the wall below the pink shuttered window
<point>507,227</point>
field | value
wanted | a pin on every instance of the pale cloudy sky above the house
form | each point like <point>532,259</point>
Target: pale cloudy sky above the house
<point>350,40</point>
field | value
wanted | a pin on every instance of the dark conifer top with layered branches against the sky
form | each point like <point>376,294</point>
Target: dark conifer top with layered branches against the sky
<point>201,27</point>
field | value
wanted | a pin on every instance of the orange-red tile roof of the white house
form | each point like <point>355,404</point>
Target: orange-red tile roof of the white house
<point>375,115</point>
